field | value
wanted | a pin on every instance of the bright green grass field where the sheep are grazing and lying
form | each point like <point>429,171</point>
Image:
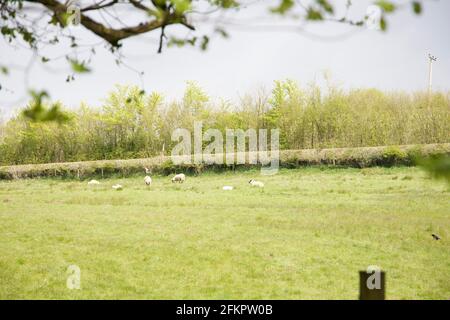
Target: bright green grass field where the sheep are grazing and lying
<point>305,236</point>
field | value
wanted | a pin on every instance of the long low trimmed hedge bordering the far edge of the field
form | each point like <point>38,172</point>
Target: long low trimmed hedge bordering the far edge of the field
<point>345,157</point>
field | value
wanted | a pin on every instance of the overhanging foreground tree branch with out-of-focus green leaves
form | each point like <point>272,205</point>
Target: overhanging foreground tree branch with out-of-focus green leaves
<point>40,23</point>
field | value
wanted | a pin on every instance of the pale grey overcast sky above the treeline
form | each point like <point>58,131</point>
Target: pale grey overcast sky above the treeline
<point>252,57</point>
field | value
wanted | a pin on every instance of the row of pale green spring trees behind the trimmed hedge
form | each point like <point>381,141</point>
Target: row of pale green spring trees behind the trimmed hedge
<point>134,124</point>
